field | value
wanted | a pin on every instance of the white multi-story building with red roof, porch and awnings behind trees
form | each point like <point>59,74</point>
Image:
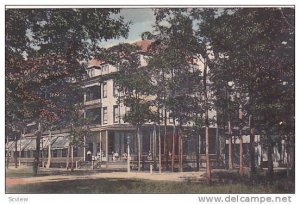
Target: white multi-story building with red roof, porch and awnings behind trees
<point>110,134</point>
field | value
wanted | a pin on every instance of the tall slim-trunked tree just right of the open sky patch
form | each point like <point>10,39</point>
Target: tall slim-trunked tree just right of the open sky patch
<point>173,63</point>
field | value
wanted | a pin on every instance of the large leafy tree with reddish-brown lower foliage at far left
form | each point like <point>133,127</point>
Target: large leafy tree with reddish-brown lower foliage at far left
<point>43,59</point>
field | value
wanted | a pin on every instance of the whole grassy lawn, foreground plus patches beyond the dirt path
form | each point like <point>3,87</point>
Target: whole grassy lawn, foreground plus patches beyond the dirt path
<point>230,184</point>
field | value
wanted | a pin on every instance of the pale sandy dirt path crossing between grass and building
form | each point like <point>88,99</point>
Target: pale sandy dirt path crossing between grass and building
<point>192,176</point>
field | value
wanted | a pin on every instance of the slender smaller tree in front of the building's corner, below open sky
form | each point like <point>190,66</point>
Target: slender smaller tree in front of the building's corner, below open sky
<point>133,80</point>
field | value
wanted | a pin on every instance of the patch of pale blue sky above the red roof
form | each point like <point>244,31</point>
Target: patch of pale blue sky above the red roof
<point>142,20</point>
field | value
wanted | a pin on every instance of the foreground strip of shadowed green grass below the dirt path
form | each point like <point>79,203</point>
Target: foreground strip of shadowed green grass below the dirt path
<point>124,186</point>
